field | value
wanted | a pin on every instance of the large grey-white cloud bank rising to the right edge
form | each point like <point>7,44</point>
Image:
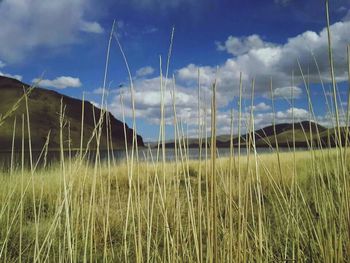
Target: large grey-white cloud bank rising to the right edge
<point>264,61</point>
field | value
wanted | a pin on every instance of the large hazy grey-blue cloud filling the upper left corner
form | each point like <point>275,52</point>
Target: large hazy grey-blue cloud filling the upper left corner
<point>29,25</point>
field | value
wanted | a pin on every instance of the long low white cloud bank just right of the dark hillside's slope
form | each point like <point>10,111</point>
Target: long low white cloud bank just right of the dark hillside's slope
<point>148,101</point>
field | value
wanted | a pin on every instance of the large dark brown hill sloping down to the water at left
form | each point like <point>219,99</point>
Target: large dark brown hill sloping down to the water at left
<point>44,109</point>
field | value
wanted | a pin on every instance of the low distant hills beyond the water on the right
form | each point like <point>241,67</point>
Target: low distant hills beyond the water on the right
<point>305,133</point>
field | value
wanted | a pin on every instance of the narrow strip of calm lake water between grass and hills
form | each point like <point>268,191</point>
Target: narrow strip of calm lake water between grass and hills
<point>119,155</point>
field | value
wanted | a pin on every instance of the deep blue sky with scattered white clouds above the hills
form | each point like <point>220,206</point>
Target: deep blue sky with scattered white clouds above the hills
<point>64,44</point>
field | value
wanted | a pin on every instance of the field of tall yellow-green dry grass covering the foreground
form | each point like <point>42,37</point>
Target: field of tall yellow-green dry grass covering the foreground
<point>267,210</point>
